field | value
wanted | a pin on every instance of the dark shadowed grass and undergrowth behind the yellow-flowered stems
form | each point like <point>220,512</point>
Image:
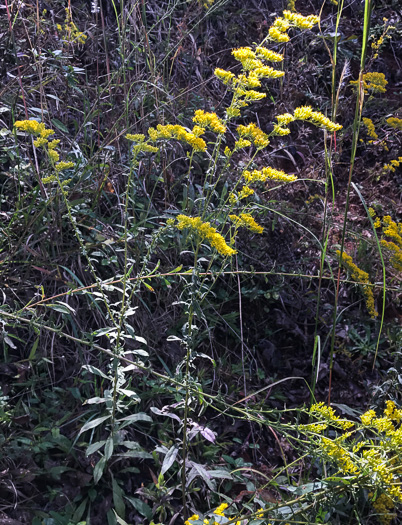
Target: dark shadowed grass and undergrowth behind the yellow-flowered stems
<point>145,63</point>
